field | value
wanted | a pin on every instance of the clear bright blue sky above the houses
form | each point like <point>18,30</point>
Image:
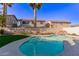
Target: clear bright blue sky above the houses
<point>48,11</point>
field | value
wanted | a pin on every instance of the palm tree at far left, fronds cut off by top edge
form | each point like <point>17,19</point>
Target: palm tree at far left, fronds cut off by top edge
<point>5,11</point>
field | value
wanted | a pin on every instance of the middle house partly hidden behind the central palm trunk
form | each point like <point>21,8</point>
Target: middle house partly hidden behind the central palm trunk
<point>30,23</point>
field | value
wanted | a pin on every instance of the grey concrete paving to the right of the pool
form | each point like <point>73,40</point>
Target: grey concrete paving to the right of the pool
<point>71,50</point>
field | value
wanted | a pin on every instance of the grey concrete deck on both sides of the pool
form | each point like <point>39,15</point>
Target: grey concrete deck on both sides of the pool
<point>12,49</point>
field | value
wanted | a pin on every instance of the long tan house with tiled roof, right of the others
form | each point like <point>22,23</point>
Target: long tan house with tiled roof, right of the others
<point>58,23</point>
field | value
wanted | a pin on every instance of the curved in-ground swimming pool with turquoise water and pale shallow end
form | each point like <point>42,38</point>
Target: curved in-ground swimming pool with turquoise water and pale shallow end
<point>37,46</point>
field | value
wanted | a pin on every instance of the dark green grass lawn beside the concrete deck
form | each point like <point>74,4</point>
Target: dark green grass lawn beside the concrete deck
<point>4,40</point>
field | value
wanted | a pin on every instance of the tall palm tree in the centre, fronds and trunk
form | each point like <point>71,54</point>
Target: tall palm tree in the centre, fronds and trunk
<point>35,6</point>
